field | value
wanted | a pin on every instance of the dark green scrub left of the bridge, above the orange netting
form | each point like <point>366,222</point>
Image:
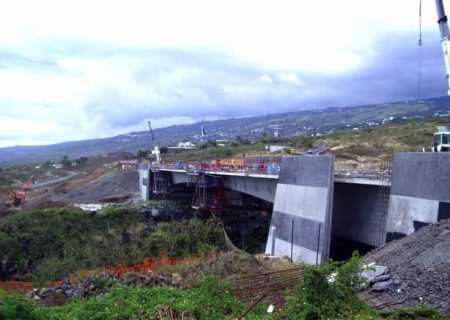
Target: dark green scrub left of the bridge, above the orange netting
<point>49,244</point>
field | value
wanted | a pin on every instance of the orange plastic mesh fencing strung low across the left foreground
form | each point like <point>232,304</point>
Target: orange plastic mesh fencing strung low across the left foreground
<point>148,265</point>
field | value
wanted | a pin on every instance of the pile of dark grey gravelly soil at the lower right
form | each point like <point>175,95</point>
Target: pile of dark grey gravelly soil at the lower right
<point>419,266</point>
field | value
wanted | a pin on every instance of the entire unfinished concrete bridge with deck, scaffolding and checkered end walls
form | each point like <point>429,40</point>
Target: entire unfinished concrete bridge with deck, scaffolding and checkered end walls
<point>313,201</point>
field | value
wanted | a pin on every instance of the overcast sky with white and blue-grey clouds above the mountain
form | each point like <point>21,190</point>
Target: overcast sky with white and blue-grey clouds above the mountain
<point>72,70</point>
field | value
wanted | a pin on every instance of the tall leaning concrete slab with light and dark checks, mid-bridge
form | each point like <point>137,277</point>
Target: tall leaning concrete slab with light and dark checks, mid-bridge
<point>301,219</point>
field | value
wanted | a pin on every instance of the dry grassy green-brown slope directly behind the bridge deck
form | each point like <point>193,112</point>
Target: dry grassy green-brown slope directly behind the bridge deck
<point>410,135</point>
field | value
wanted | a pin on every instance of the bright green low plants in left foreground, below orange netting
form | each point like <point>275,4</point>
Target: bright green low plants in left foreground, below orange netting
<point>213,300</point>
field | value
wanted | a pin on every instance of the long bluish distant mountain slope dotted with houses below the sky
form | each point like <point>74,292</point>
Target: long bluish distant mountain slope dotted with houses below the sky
<point>287,124</point>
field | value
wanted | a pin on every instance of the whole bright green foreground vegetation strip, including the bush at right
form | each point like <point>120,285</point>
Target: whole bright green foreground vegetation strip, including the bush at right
<point>326,293</point>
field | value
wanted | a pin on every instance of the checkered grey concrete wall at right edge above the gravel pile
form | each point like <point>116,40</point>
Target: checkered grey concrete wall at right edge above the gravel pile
<point>420,191</point>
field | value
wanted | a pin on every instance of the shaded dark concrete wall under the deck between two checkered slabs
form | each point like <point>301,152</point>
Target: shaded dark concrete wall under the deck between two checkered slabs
<point>357,215</point>
